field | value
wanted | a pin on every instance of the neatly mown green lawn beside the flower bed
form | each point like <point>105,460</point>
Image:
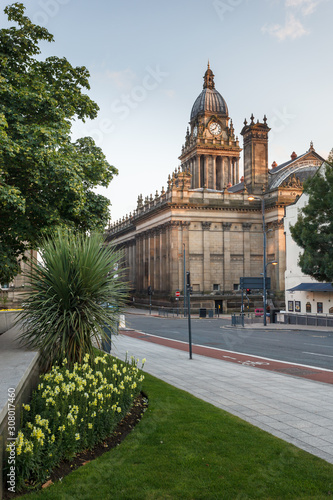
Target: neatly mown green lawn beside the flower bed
<point>184,448</point>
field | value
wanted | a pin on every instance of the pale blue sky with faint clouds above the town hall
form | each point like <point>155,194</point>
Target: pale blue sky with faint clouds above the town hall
<point>147,59</point>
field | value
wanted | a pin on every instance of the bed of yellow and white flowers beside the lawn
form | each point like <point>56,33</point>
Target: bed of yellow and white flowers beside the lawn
<point>71,411</point>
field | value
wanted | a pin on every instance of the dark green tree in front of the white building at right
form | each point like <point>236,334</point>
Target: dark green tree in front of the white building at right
<point>313,231</point>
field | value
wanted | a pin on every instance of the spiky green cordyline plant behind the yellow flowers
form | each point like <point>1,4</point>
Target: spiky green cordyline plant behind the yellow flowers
<point>64,309</point>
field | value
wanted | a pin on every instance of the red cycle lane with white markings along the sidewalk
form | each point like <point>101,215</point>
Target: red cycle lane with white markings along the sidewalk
<point>309,372</point>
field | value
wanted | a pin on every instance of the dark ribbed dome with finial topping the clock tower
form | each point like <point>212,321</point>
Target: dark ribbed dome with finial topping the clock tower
<point>209,99</point>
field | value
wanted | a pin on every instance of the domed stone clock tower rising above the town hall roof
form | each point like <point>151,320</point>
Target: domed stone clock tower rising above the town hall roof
<point>211,151</point>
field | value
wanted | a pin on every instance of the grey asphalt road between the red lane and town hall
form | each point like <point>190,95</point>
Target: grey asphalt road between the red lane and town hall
<point>307,347</point>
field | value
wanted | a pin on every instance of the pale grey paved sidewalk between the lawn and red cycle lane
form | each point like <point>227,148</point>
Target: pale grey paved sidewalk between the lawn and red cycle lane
<point>296,410</point>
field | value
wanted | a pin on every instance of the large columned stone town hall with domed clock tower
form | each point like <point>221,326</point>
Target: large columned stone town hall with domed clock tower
<point>205,213</point>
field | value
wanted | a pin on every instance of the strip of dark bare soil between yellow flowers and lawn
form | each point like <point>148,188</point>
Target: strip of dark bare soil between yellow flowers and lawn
<point>122,430</point>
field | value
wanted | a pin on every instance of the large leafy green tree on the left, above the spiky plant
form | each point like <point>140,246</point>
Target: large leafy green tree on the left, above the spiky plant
<point>46,180</point>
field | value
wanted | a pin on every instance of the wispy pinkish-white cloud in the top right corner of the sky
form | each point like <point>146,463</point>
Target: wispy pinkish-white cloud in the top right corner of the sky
<point>293,27</point>
